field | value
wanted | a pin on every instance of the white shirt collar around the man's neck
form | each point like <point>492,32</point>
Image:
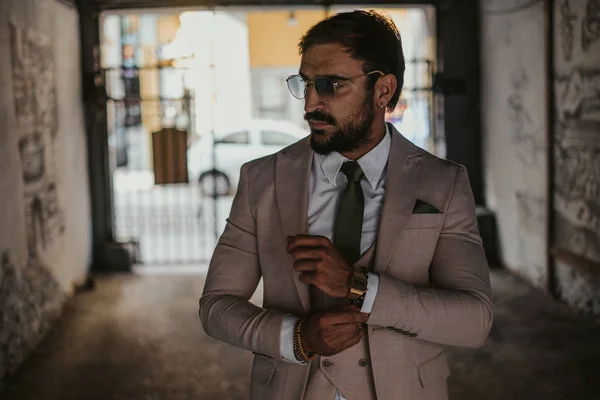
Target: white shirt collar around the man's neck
<point>373,163</point>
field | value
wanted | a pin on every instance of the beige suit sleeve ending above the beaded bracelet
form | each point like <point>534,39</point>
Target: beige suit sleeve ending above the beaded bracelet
<point>234,272</point>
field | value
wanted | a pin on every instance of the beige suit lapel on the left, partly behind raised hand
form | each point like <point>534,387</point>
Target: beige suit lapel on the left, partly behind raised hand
<point>292,180</point>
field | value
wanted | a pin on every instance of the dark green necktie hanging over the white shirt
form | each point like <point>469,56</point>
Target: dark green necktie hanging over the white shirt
<point>348,224</point>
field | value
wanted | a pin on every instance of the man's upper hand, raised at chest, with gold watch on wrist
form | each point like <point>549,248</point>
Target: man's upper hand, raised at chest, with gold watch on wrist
<point>320,264</point>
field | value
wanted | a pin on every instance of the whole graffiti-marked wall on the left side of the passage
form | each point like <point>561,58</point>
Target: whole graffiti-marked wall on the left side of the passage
<point>45,225</point>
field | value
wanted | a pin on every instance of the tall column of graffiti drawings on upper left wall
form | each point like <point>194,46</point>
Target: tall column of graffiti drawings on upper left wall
<point>34,88</point>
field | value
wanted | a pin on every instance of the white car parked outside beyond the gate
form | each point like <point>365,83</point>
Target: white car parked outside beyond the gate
<point>258,138</point>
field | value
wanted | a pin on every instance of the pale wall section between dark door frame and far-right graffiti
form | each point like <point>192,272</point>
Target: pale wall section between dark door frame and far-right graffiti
<point>514,127</point>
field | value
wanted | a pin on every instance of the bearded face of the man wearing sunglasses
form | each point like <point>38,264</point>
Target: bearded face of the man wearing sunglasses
<point>342,123</point>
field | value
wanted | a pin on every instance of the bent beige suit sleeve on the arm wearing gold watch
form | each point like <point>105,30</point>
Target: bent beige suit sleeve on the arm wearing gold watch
<point>457,307</point>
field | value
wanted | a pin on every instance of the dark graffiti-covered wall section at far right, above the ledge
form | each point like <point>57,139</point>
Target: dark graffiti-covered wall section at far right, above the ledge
<point>577,133</point>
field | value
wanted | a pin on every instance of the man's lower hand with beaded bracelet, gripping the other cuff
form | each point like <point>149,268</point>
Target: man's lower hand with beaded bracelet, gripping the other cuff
<point>330,332</point>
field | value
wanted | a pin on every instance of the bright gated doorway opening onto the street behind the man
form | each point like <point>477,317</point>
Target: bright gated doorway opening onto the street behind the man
<point>193,95</point>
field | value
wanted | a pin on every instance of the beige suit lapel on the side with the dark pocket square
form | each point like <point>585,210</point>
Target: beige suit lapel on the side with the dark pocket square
<point>404,172</point>
